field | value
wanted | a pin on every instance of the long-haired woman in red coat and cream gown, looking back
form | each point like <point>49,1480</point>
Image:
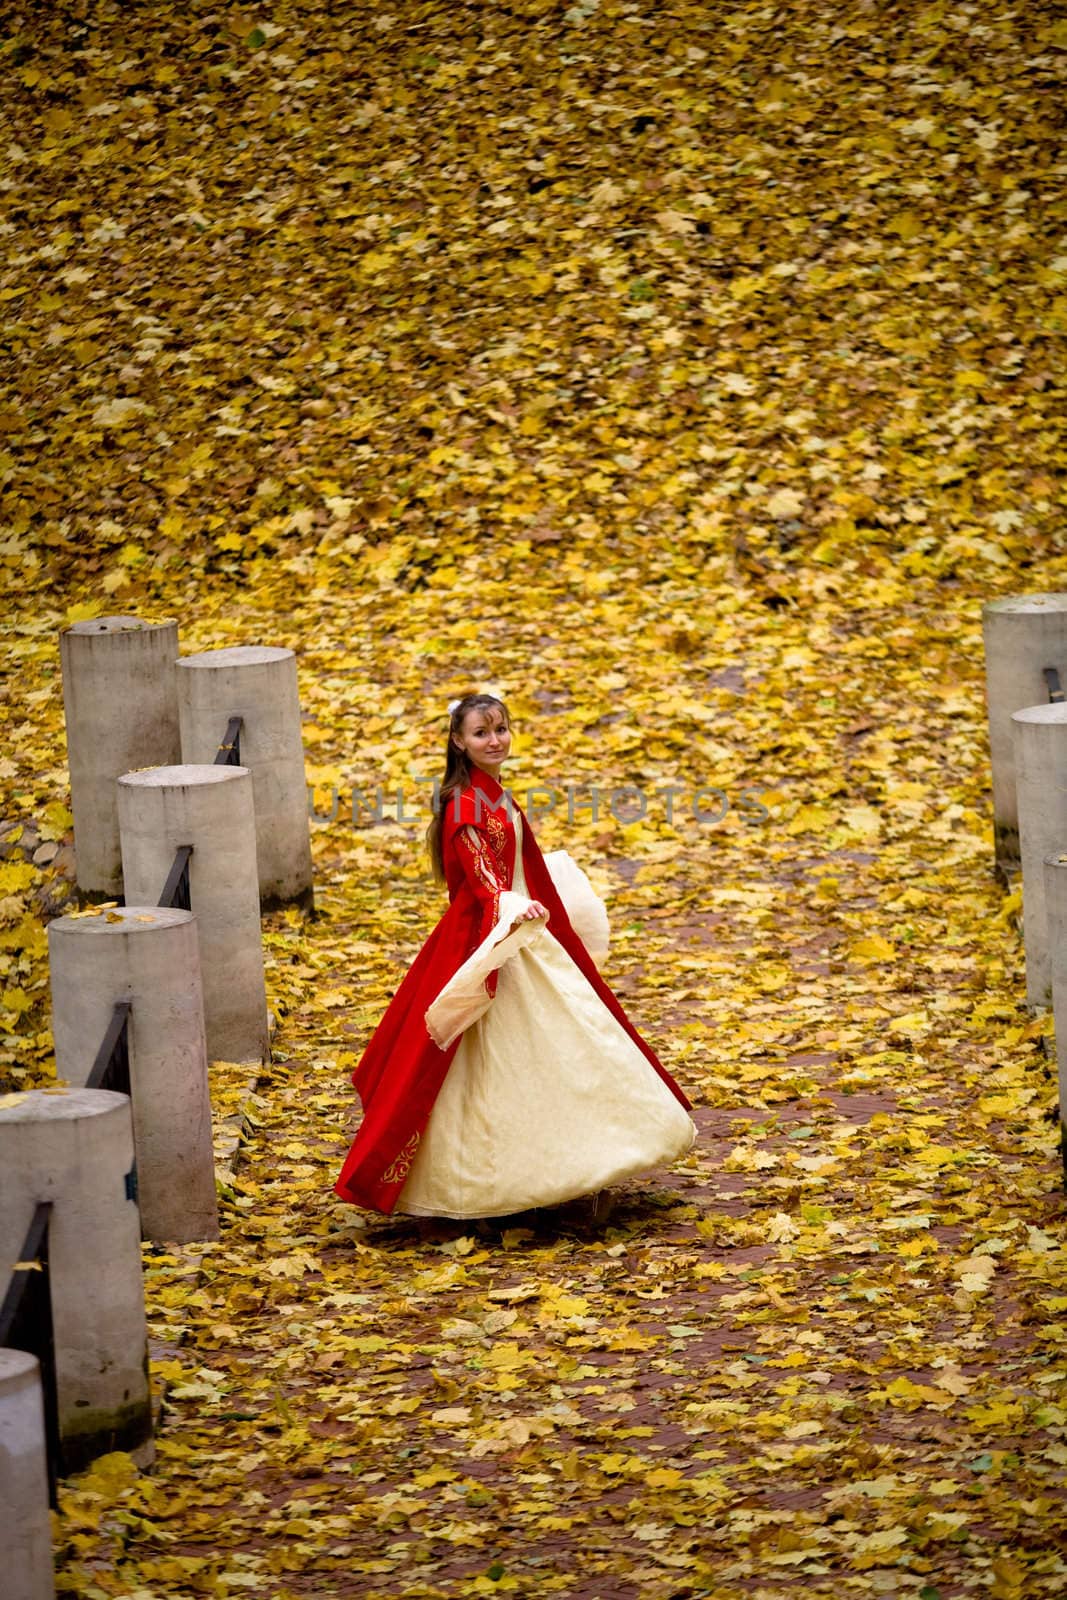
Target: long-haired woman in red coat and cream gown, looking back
<point>505,1074</point>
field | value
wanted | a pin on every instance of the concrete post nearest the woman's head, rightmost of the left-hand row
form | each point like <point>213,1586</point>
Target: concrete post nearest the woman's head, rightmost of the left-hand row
<point>258,684</point>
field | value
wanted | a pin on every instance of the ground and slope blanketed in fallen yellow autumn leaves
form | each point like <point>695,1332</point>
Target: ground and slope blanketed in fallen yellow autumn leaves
<point>689,375</point>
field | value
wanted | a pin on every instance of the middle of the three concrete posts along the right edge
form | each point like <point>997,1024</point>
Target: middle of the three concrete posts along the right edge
<point>1041,758</point>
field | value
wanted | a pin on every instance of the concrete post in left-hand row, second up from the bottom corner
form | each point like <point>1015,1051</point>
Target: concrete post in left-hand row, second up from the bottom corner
<point>76,1150</point>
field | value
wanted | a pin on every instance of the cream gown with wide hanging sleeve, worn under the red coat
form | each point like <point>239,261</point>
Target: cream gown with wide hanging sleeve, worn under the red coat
<point>548,1097</point>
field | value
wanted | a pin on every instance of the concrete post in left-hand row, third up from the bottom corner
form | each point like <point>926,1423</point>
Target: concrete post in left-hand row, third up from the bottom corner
<point>148,956</point>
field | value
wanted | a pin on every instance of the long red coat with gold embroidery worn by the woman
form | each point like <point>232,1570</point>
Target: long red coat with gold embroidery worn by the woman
<point>402,1070</point>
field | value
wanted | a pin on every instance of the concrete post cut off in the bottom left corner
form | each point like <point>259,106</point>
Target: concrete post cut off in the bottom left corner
<point>25,1524</point>
